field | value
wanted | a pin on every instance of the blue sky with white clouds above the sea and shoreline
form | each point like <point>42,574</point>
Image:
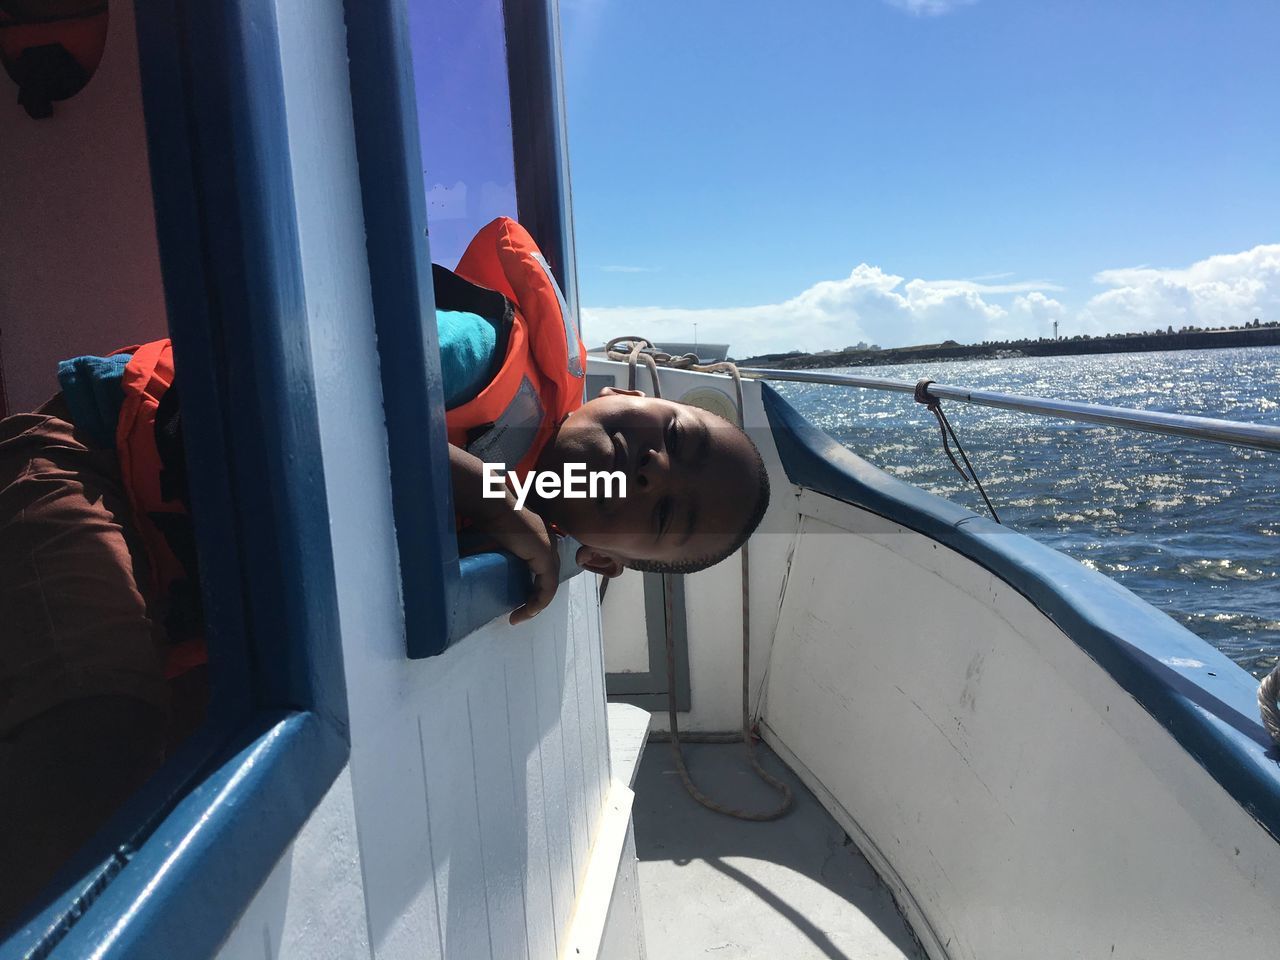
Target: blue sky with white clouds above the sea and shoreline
<point>810,175</point>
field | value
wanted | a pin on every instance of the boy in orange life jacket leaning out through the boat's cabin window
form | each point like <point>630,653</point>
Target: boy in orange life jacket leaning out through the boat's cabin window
<point>100,632</point>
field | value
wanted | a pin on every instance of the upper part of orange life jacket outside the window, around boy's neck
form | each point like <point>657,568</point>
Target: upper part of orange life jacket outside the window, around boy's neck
<point>545,368</point>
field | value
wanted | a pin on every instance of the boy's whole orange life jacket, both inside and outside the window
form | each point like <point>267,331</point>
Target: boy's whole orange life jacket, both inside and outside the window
<point>540,382</point>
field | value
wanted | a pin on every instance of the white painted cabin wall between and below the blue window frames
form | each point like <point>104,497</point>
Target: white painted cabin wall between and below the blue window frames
<point>478,778</point>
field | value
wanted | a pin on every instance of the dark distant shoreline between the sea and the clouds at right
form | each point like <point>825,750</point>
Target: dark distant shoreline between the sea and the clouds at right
<point>1265,336</point>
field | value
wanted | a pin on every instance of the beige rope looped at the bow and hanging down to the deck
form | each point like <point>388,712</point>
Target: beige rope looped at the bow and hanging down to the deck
<point>632,355</point>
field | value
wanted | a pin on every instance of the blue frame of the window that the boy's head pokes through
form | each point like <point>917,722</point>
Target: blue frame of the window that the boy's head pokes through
<point>446,598</point>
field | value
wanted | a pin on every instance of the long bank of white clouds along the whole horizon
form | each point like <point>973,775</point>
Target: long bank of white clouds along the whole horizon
<point>883,308</point>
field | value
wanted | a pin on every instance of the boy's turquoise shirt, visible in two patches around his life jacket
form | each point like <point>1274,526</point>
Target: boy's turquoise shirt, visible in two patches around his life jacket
<point>94,394</point>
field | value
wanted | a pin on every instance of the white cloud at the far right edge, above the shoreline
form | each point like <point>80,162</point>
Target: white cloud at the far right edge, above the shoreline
<point>1223,290</point>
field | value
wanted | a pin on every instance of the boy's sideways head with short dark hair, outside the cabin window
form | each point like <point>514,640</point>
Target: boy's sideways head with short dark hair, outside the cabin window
<point>696,484</point>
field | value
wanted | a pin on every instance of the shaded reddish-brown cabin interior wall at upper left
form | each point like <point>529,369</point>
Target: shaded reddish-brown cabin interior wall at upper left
<point>77,225</point>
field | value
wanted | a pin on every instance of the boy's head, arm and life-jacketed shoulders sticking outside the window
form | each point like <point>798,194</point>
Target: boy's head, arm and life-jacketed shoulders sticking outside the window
<point>696,484</point>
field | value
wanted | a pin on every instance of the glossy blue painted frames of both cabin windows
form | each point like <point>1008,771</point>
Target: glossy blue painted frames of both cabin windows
<point>200,836</point>
